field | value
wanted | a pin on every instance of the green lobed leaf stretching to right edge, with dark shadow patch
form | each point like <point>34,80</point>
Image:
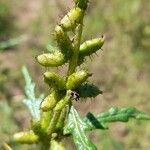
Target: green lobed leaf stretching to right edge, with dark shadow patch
<point>114,114</point>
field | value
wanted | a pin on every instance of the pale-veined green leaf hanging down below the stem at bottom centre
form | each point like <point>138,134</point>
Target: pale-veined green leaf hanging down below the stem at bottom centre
<point>76,126</point>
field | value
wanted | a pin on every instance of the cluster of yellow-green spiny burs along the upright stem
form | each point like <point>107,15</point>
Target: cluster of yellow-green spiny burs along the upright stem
<point>55,107</point>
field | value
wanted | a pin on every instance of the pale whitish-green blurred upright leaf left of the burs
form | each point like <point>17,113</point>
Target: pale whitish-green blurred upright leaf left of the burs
<point>31,101</point>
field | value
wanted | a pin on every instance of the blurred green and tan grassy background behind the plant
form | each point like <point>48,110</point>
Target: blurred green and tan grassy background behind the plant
<point>121,70</point>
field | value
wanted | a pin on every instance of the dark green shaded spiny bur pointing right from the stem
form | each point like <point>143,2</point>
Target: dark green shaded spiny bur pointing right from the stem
<point>88,90</point>
